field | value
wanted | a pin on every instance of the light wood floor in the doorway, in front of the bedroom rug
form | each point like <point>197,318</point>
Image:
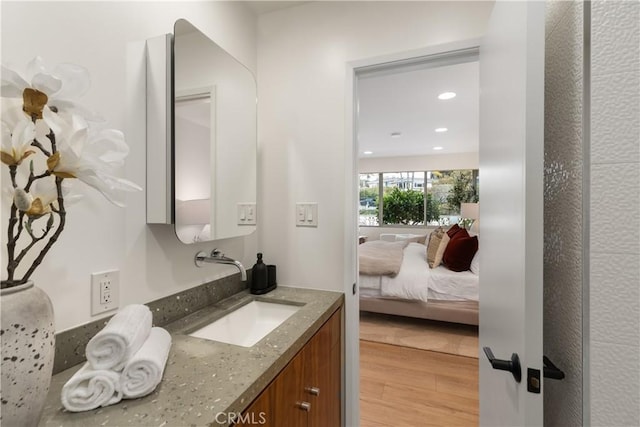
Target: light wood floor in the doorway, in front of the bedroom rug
<point>408,387</point>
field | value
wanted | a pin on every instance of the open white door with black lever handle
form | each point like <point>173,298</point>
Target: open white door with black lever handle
<point>511,211</point>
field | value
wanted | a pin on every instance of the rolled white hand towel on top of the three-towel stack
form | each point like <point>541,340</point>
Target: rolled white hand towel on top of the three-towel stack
<point>123,335</point>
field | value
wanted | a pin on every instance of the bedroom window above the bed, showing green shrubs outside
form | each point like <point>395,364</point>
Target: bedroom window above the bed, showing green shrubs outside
<point>416,198</point>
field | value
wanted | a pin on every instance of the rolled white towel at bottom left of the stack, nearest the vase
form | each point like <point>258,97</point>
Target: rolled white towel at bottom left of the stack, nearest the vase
<point>89,389</point>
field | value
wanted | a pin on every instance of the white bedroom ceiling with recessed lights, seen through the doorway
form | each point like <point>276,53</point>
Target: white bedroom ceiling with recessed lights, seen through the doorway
<point>407,103</point>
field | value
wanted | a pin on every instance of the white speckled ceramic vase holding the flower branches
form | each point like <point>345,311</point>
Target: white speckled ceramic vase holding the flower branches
<point>27,338</point>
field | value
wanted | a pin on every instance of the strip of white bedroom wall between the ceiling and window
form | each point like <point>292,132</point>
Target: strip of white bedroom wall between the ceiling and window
<point>419,163</point>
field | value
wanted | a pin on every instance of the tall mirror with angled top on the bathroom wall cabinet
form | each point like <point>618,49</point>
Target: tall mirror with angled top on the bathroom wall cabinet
<point>214,122</point>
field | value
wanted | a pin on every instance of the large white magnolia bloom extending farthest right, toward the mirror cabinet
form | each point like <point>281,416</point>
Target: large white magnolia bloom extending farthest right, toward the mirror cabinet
<point>92,157</point>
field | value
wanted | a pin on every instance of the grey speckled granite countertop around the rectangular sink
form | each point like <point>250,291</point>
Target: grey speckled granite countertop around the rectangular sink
<point>203,377</point>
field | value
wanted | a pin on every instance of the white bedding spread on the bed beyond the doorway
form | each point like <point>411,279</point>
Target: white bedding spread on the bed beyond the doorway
<point>417,281</point>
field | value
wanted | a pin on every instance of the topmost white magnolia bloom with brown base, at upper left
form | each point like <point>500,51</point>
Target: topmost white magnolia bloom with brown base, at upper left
<point>62,85</point>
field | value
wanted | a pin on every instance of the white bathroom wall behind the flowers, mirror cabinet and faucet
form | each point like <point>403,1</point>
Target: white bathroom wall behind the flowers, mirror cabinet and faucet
<point>105,38</point>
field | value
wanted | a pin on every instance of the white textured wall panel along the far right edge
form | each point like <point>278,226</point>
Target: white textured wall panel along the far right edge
<point>615,214</point>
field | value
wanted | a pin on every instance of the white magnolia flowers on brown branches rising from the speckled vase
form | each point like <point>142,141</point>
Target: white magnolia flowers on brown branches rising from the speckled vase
<point>49,142</point>
